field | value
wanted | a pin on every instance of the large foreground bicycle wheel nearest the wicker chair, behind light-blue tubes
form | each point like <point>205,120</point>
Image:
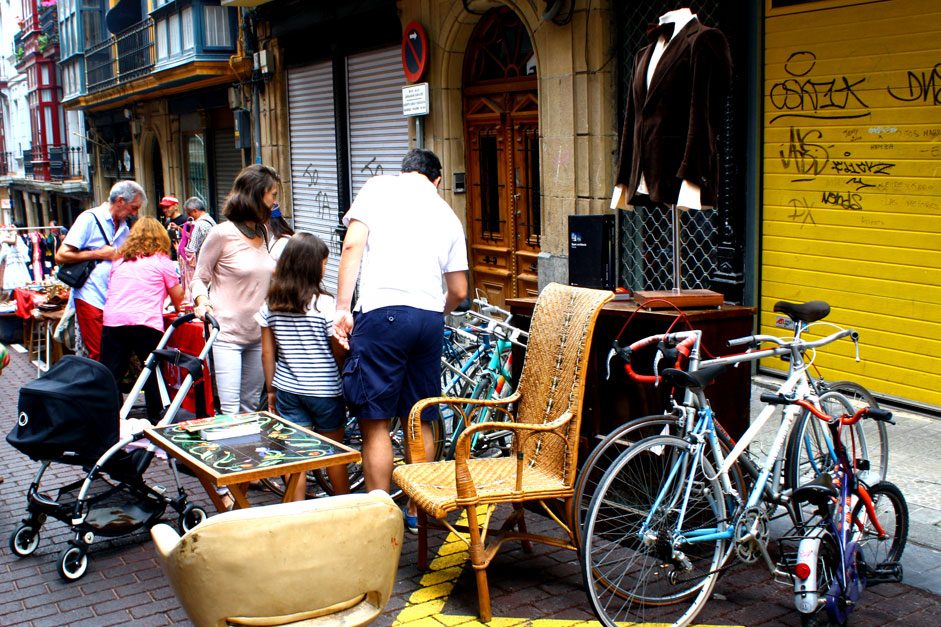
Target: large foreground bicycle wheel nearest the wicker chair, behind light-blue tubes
<point>634,565</point>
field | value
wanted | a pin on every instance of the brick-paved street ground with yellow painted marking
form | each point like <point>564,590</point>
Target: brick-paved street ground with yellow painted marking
<point>124,583</point>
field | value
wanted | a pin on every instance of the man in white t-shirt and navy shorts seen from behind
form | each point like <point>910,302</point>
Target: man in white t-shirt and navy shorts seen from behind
<point>413,255</point>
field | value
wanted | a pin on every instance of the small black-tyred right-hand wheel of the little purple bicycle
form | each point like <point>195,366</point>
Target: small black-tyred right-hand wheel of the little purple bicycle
<point>892,513</point>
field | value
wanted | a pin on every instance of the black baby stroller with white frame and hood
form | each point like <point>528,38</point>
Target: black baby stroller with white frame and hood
<point>73,415</point>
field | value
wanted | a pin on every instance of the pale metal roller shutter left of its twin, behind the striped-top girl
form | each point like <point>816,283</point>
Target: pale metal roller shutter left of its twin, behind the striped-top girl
<point>313,158</point>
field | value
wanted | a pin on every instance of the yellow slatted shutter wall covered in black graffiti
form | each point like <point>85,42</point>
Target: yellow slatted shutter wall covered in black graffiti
<point>852,184</point>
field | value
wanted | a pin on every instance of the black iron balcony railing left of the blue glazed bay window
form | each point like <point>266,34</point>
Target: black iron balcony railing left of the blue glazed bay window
<point>127,56</point>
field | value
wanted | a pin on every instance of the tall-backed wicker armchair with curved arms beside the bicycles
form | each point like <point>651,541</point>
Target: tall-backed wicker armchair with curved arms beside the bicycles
<point>545,440</point>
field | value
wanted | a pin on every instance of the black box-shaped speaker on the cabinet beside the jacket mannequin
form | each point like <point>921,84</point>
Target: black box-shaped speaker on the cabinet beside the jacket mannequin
<point>591,251</point>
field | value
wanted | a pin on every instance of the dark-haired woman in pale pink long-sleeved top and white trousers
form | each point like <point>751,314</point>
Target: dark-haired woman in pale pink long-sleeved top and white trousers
<point>231,281</point>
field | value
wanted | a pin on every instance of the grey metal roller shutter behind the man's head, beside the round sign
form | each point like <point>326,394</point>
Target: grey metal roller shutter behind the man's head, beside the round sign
<point>378,130</point>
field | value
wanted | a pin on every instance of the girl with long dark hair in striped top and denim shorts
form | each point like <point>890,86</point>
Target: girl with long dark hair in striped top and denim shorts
<point>301,358</point>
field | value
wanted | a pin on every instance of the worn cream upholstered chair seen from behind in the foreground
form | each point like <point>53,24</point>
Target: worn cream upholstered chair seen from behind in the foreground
<point>328,561</point>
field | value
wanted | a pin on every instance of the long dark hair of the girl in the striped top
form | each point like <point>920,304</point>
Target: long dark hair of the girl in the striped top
<point>298,277</point>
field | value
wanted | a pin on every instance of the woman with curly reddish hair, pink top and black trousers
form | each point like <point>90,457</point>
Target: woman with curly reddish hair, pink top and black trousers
<point>141,279</point>
